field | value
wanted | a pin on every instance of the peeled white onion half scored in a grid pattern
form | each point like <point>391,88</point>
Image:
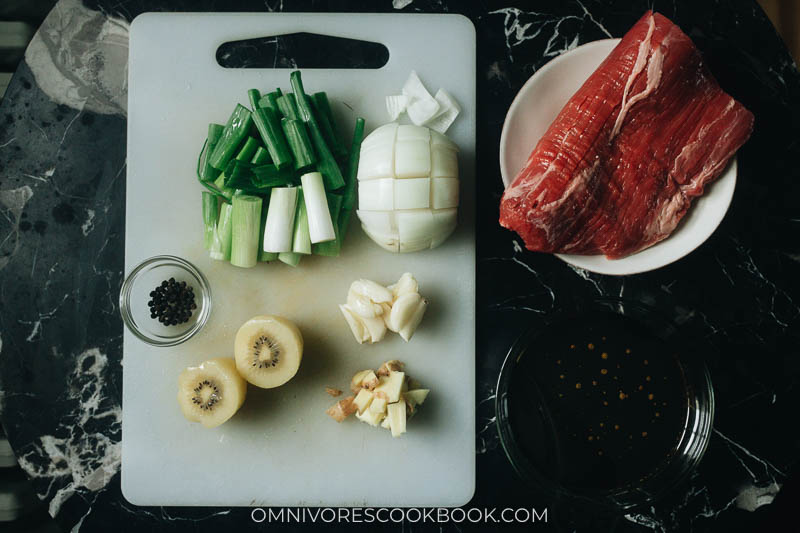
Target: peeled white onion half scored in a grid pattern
<point>408,187</point>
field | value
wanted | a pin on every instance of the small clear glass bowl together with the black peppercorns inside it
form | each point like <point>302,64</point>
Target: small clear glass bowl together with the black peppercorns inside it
<point>165,300</point>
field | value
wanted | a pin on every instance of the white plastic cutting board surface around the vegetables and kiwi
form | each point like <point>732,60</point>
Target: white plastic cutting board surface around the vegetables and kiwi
<point>281,449</point>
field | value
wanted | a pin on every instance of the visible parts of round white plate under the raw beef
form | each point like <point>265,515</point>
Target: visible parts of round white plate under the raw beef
<point>534,109</point>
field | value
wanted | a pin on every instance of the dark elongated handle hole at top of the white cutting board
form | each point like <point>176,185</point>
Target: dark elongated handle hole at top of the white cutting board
<point>302,50</point>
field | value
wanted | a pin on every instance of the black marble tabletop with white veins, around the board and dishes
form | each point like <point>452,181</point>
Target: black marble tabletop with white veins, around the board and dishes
<point>62,176</point>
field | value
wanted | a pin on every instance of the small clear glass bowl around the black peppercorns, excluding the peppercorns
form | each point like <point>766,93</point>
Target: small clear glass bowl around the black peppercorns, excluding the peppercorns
<point>135,294</point>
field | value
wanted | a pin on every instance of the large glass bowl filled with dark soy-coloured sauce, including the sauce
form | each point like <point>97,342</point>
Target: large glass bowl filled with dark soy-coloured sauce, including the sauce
<point>574,417</point>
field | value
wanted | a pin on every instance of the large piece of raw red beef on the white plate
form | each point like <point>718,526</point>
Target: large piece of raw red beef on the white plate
<point>619,166</point>
